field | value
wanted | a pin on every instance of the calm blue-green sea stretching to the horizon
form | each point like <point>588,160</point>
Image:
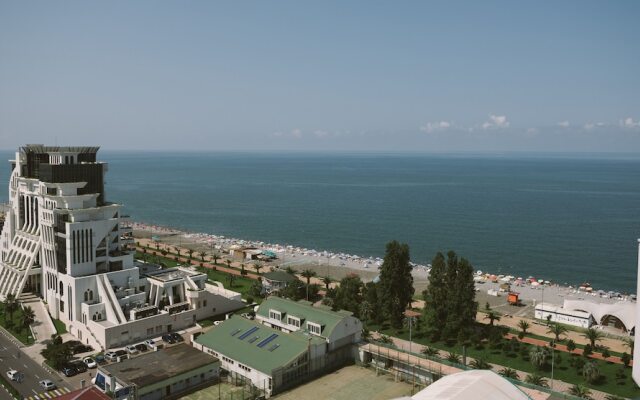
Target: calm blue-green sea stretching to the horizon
<point>564,218</point>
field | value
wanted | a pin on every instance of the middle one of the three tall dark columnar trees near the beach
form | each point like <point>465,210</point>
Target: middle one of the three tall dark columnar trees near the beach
<point>435,297</point>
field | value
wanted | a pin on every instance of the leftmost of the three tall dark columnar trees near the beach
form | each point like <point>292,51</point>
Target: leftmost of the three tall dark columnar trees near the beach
<point>396,282</point>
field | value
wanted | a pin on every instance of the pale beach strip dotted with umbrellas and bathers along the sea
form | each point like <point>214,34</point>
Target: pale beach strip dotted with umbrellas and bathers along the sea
<point>367,267</point>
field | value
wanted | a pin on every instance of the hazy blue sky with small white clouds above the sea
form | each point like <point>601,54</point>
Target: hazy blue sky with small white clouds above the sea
<point>301,75</point>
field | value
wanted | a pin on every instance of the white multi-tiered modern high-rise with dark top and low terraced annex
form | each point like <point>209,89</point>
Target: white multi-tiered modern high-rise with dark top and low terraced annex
<point>63,241</point>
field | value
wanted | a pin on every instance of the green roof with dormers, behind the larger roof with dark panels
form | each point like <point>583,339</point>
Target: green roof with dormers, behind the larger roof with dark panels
<point>304,310</point>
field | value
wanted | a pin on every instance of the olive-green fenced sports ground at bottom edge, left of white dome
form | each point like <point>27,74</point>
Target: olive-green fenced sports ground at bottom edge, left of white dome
<point>350,383</point>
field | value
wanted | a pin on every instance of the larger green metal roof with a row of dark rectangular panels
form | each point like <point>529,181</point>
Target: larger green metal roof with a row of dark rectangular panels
<point>240,339</point>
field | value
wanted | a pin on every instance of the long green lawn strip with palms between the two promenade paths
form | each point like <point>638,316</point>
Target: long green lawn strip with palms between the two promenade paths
<point>562,370</point>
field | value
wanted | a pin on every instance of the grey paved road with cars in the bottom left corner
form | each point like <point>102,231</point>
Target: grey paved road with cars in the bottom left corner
<point>11,357</point>
